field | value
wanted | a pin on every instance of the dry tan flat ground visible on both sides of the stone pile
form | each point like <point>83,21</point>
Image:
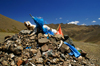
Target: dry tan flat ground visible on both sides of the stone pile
<point>93,50</point>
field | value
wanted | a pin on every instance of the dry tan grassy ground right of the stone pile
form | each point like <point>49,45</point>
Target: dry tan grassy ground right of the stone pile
<point>92,49</point>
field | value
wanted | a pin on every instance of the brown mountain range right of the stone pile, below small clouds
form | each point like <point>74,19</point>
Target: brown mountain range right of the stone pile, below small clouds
<point>81,33</point>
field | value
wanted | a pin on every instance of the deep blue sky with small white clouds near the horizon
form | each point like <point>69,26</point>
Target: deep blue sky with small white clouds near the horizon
<point>53,11</point>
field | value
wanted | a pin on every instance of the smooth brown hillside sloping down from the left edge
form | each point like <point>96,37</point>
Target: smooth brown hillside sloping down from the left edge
<point>10,25</point>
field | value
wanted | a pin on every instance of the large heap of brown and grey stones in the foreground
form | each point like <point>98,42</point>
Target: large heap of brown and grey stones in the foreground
<point>29,49</point>
